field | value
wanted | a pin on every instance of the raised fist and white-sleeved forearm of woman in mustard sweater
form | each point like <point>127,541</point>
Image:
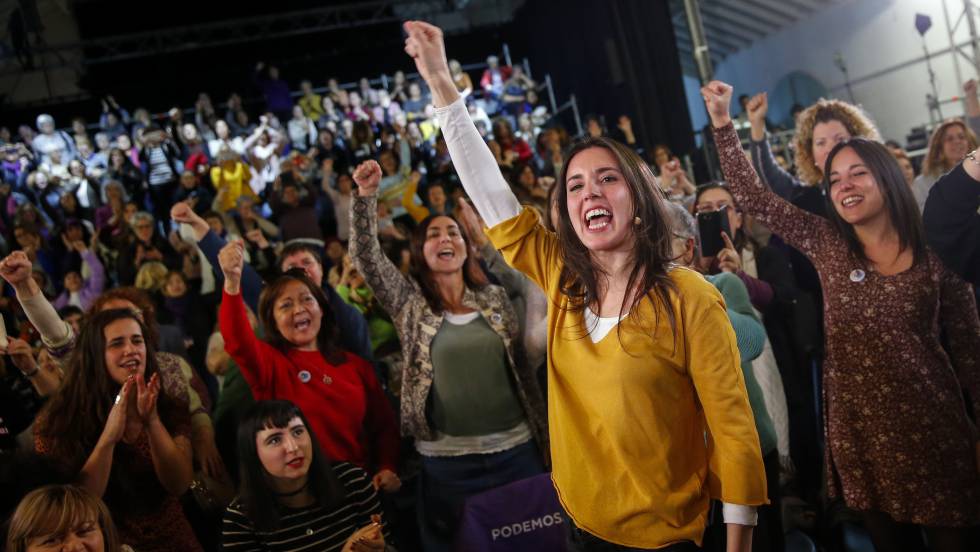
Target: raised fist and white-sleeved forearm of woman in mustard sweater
<point>475,164</point>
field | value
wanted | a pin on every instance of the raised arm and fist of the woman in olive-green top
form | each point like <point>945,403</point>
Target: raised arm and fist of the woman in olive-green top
<point>390,286</point>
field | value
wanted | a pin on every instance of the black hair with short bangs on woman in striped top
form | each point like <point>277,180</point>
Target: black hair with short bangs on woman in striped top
<point>256,494</point>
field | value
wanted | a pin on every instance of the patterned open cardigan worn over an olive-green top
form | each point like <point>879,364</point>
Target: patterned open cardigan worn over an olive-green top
<point>417,325</point>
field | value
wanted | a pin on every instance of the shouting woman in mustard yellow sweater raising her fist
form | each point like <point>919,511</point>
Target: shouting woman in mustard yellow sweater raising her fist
<point>647,406</point>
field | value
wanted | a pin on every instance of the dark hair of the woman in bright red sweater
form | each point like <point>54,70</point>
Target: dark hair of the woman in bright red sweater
<point>328,337</point>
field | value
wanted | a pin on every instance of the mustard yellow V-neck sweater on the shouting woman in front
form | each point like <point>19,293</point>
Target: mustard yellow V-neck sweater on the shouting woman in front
<point>647,426</point>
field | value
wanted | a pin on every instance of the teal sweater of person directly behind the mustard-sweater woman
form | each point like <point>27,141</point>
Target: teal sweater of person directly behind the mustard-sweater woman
<point>751,337</point>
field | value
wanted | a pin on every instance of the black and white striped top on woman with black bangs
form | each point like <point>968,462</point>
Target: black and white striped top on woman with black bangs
<point>312,529</point>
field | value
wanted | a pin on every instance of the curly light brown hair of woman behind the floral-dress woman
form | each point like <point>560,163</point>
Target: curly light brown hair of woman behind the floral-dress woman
<point>854,119</point>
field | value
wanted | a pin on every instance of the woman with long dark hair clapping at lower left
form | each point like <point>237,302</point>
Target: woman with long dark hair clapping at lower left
<point>112,429</point>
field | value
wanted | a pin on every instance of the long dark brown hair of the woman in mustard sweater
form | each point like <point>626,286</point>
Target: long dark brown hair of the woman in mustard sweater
<point>580,275</point>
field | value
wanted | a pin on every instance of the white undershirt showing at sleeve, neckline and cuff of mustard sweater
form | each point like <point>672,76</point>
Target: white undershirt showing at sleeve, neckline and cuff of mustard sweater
<point>493,198</point>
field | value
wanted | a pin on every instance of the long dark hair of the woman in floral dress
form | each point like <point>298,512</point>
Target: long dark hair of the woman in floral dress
<point>899,201</point>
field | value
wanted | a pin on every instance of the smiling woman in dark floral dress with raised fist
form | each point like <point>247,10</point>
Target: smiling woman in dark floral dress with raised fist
<point>901,446</point>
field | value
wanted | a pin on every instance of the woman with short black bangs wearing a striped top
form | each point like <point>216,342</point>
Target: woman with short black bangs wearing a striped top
<point>291,497</point>
